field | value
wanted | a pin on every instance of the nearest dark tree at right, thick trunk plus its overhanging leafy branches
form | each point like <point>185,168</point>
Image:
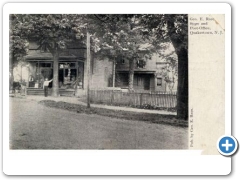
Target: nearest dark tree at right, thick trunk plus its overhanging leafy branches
<point>174,28</point>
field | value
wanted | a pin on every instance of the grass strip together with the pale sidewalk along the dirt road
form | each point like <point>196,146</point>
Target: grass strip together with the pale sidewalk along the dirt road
<point>76,105</point>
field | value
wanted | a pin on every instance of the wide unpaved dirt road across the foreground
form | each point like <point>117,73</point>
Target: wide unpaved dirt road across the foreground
<point>34,126</point>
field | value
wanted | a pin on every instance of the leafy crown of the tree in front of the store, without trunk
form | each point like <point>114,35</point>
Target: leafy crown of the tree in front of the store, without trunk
<point>54,31</point>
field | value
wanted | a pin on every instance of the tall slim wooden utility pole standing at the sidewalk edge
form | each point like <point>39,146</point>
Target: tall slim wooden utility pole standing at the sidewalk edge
<point>88,70</point>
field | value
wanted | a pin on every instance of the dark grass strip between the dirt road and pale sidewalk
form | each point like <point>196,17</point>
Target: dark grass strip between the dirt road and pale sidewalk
<point>147,117</point>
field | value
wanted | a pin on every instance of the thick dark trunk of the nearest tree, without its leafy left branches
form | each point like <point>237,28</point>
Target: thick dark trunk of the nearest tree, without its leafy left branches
<point>178,33</point>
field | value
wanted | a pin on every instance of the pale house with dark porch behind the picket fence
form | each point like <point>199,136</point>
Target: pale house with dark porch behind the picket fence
<point>149,75</point>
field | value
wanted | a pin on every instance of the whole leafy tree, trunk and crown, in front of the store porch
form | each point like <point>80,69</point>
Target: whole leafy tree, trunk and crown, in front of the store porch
<point>52,32</point>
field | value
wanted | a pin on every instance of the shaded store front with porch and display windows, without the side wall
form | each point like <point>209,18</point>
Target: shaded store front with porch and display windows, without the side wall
<point>38,66</point>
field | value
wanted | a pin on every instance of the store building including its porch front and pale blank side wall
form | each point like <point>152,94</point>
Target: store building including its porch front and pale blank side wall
<point>72,73</point>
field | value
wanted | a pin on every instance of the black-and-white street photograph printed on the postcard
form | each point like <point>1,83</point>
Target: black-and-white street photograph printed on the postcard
<point>98,81</point>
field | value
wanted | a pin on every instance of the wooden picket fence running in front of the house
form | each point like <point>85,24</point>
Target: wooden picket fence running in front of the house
<point>151,99</point>
